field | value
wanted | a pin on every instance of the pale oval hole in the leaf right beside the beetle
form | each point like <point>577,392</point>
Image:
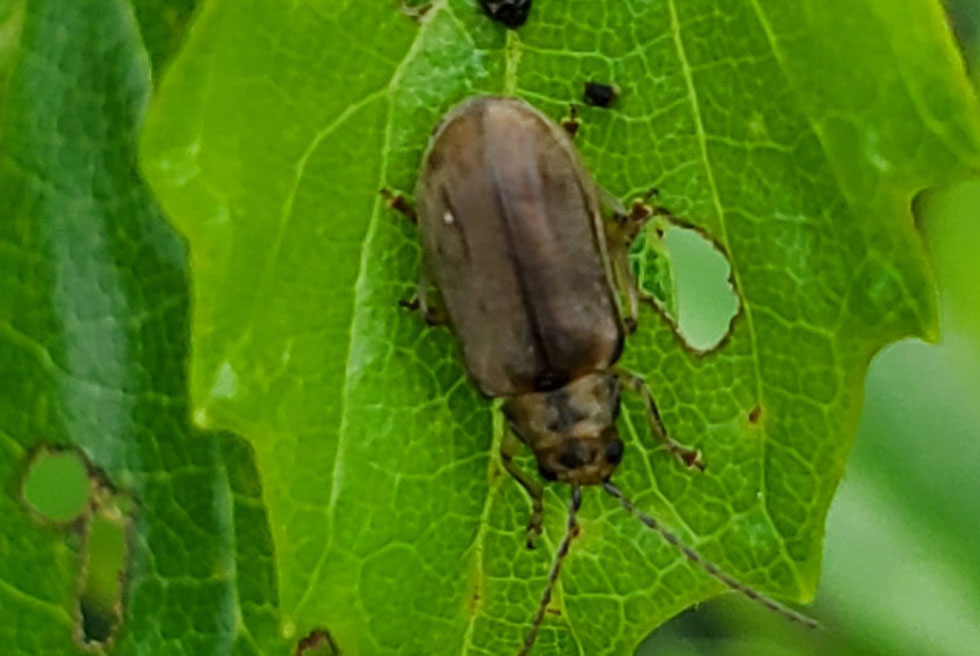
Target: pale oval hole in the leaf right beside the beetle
<point>705,300</point>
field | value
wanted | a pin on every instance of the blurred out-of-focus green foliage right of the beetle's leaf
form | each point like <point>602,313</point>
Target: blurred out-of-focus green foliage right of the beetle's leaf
<point>903,496</point>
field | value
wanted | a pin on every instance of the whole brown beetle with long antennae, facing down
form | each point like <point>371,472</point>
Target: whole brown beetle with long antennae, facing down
<point>532,279</point>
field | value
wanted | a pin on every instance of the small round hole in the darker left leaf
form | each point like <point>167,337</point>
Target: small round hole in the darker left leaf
<point>56,486</point>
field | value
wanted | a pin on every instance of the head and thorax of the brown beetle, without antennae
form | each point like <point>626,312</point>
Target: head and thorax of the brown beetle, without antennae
<point>571,429</point>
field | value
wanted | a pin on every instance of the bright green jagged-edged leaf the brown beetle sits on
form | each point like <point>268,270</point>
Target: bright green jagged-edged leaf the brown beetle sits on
<point>794,134</point>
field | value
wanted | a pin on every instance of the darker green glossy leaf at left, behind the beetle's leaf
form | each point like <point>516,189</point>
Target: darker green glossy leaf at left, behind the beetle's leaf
<point>94,341</point>
